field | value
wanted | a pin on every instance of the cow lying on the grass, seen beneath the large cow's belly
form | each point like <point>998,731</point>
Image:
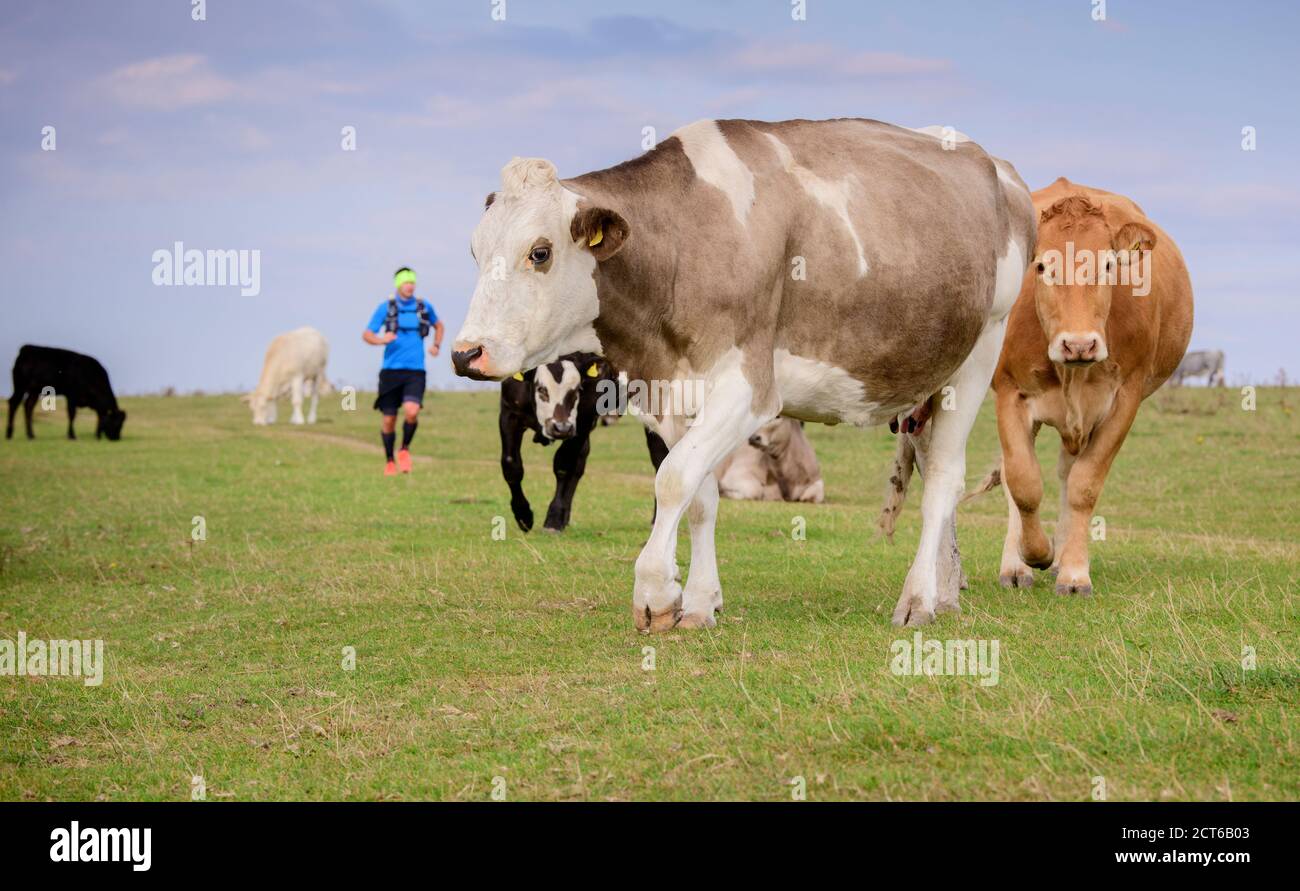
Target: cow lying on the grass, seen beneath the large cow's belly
<point>778,464</point>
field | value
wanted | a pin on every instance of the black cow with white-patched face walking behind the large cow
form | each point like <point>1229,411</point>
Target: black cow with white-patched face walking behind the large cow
<point>557,401</point>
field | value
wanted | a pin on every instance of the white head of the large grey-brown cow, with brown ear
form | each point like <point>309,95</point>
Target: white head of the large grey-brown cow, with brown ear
<point>536,292</point>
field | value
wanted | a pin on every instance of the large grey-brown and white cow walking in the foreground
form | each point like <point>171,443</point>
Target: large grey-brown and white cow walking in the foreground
<point>830,271</point>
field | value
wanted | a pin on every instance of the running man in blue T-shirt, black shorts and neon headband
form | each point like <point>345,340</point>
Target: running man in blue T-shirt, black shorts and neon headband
<point>400,326</point>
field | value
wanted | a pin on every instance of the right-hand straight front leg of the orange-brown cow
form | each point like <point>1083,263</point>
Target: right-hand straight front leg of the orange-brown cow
<point>1087,477</point>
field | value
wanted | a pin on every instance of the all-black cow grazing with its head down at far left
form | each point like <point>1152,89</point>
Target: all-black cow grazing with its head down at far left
<point>81,380</point>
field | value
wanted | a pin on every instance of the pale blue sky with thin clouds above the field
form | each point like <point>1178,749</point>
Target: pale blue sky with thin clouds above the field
<point>226,135</point>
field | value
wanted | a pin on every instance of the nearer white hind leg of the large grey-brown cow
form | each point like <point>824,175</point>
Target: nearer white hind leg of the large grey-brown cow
<point>942,457</point>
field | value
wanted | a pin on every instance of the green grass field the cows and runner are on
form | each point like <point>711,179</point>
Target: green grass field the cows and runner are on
<point>518,659</point>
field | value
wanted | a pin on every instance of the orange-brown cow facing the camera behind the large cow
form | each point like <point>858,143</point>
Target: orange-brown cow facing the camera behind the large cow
<point>1084,349</point>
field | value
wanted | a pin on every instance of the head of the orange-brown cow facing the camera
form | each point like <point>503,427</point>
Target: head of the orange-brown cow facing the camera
<point>1080,261</point>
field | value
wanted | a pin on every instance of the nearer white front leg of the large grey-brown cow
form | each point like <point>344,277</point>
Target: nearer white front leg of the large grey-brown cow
<point>726,421</point>
